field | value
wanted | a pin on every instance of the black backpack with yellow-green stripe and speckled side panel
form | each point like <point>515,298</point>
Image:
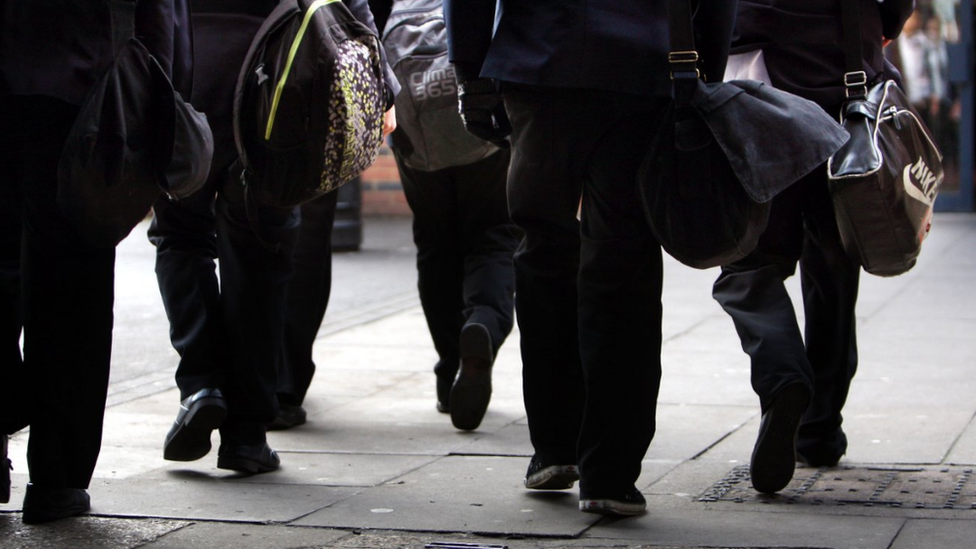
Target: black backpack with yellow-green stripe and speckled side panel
<point>309,103</point>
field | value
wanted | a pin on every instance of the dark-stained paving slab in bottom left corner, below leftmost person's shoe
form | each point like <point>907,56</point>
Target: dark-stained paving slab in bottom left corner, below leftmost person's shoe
<point>83,533</point>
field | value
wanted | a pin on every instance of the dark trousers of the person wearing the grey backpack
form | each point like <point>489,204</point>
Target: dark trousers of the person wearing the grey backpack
<point>465,241</point>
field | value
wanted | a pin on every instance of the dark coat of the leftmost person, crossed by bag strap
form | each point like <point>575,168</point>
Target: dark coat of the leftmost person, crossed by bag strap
<point>59,48</point>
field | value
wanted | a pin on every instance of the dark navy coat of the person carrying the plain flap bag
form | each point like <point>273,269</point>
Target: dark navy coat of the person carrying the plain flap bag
<point>615,45</point>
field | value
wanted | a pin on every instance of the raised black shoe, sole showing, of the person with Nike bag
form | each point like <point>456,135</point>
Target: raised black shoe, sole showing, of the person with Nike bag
<point>774,456</point>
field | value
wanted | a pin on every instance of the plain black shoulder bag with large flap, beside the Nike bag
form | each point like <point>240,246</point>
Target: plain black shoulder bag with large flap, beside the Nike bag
<point>722,152</point>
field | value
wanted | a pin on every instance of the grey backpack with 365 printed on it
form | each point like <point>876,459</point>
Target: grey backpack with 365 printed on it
<point>430,135</point>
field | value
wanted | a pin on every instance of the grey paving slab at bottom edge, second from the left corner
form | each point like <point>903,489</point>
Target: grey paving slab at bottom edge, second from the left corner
<point>246,536</point>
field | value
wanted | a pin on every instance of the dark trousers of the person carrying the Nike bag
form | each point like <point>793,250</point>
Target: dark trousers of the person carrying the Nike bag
<point>802,230</point>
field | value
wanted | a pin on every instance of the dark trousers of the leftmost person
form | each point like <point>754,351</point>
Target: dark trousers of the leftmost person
<point>60,291</point>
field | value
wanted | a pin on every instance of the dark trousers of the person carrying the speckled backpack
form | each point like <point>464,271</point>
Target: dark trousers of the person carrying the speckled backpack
<point>229,333</point>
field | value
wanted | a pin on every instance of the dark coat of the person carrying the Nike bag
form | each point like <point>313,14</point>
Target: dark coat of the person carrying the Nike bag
<point>802,42</point>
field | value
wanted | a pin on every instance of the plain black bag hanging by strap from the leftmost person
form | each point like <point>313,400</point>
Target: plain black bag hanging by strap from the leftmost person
<point>134,139</point>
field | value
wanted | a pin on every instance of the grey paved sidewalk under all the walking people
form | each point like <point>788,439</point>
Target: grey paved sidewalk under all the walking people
<point>378,466</point>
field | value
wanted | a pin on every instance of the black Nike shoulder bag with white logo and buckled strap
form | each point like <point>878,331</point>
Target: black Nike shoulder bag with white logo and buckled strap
<point>885,180</point>
